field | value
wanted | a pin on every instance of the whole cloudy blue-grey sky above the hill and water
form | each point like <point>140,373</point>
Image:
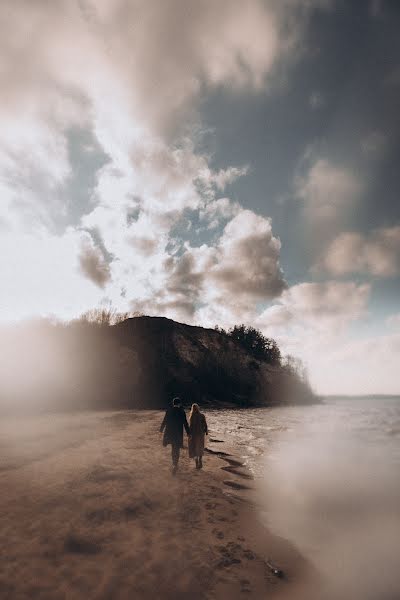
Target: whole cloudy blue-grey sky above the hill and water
<point>212,162</point>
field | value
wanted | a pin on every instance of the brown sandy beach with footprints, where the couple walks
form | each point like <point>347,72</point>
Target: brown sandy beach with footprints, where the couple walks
<point>89,509</point>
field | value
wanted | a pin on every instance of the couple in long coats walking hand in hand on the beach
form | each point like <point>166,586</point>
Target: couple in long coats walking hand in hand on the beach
<point>173,424</point>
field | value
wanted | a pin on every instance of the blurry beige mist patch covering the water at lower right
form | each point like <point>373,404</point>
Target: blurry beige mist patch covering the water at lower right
<point>336,495</point>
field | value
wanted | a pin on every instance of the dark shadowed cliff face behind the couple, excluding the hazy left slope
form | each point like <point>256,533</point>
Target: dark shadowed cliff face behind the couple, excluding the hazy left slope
<point>201,365</point>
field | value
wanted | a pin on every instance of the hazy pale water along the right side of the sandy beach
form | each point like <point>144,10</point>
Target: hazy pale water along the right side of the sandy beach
<point>329,481</point>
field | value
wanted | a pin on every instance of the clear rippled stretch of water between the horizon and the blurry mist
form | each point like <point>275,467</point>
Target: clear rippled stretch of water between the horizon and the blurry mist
<point>370,422</point>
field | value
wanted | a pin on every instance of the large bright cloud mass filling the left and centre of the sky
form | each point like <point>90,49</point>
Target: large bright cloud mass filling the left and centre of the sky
<point>131,73</point>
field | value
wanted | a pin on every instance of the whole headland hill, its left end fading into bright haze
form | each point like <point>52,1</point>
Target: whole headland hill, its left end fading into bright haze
<point>139,362</point>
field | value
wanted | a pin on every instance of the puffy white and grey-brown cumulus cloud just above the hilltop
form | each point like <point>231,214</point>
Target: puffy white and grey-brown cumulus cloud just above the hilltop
<point>220,282</point>
